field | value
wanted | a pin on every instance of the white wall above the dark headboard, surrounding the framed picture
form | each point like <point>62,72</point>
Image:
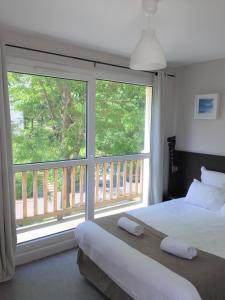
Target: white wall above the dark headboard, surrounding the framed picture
<point>203,136</point>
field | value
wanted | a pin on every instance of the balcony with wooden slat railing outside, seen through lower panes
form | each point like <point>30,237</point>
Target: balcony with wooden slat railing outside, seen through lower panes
<point>51,197</point>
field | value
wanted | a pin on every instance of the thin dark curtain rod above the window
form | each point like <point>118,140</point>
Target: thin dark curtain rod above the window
<point>80,58</point>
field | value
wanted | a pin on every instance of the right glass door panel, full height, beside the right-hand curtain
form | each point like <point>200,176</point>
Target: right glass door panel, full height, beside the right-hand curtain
<point>122,147</point>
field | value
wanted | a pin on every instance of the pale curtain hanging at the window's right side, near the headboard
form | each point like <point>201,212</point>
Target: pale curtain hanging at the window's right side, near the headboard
<point>162,126</point>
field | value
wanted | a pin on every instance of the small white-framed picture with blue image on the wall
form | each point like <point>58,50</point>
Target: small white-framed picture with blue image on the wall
<point>206,106</point>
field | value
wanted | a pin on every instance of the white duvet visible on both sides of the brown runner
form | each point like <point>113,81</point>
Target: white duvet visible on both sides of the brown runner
<point>140,276</point>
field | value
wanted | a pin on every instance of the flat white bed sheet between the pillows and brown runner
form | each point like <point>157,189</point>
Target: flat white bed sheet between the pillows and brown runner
<point>193,225</point>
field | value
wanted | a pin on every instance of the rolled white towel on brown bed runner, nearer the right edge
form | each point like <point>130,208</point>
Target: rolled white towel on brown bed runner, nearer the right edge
<point>178,248</point>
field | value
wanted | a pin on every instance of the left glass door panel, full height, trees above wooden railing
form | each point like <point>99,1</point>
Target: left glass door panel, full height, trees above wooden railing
<point>48,118</point>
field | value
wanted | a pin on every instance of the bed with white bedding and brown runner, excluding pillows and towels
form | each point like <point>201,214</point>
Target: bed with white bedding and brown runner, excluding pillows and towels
<point>121,268</point>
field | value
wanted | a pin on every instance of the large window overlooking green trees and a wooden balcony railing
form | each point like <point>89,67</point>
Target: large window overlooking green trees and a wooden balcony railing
<point>80,146</point>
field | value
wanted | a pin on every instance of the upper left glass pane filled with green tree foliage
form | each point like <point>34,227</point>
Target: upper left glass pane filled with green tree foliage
<point>48,118</point>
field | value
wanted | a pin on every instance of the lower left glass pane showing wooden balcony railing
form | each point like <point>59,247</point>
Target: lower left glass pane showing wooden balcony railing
<point>49,201</point>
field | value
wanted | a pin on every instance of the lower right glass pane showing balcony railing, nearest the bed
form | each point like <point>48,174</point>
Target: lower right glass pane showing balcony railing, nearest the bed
<point>118,186</point>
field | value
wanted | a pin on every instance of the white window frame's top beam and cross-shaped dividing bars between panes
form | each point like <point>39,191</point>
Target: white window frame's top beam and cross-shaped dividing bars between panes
<point>26,61</point>
